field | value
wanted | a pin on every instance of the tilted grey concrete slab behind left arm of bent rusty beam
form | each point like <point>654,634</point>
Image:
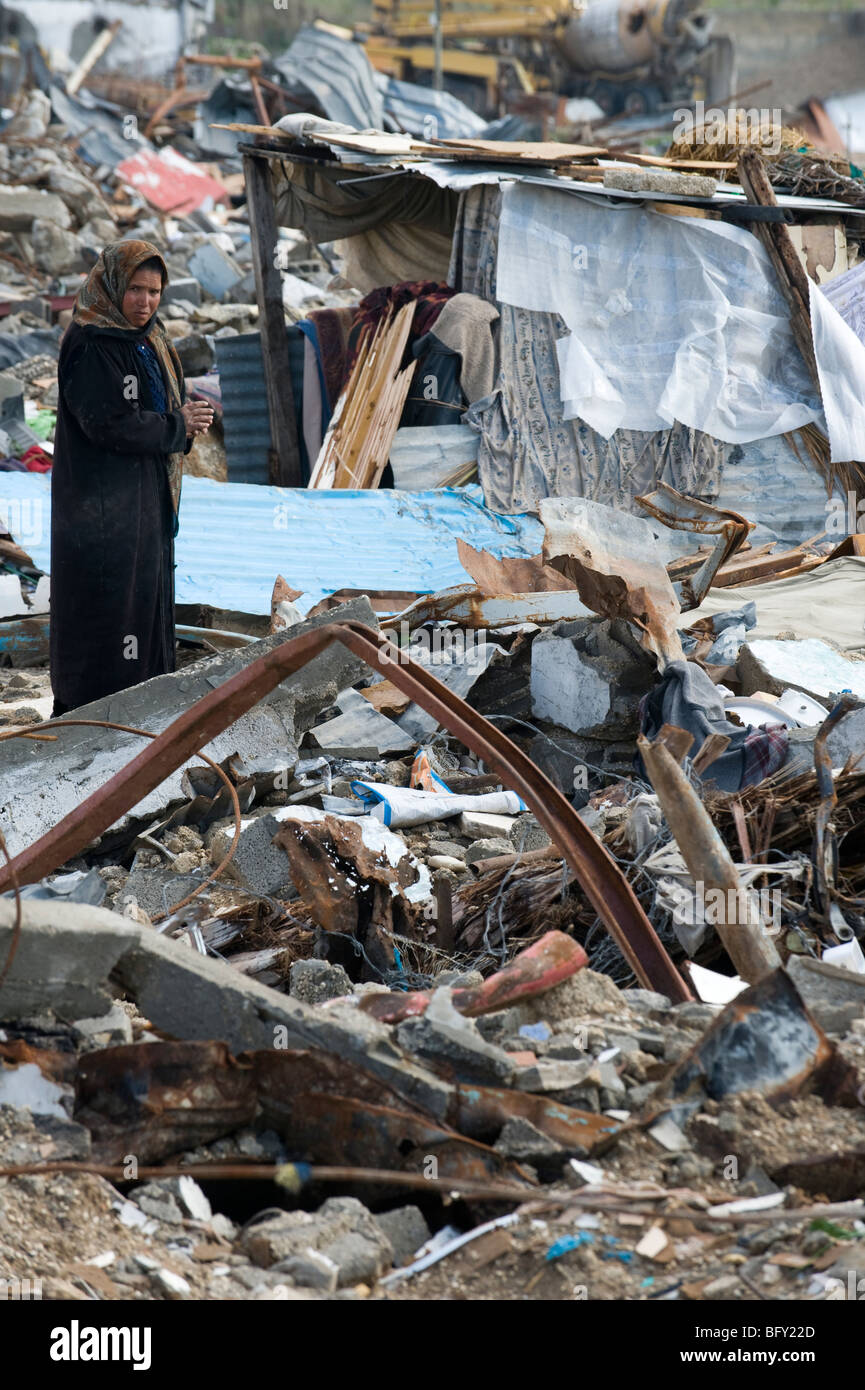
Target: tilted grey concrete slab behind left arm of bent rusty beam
<point>45,782</point>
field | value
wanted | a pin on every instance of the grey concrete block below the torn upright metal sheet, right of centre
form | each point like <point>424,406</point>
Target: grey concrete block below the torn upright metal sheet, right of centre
<point>589,678</point>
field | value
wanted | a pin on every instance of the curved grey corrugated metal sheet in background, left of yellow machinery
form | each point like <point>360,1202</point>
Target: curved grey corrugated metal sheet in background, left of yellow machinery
<point>337,74</point>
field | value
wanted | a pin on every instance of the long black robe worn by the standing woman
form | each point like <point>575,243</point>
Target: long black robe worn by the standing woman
<point>112,522</point>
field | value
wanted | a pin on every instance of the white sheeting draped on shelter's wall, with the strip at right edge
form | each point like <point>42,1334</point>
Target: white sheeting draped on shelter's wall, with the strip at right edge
<point>671,319</point>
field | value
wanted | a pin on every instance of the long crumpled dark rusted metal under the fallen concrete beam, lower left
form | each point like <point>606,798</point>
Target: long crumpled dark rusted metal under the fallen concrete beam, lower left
<point>161,1099</point>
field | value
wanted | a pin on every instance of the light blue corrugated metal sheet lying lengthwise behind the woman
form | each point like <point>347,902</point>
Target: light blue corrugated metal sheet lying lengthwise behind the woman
<point>234,539</point>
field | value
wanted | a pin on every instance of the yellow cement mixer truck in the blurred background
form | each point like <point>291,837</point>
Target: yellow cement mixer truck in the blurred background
<point>629,56</point>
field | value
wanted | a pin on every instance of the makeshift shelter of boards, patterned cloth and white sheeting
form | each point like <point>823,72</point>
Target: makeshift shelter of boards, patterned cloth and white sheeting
<point>643,336</point>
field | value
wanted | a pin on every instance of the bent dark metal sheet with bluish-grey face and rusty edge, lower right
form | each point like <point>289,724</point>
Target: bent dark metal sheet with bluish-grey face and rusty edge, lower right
<point>767,1042</point>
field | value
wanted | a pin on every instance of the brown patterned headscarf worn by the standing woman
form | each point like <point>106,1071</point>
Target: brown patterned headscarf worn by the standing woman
<point>99,305</point>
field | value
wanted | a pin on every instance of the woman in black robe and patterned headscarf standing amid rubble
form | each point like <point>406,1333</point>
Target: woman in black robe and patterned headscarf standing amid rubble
<point>122,434</point>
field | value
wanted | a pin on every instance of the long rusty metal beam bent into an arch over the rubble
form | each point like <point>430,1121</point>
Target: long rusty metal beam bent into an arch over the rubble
<point>597,872</point>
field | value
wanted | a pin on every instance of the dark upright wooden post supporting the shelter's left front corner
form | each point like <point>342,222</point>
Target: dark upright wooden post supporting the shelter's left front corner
<point>284,454</point>
